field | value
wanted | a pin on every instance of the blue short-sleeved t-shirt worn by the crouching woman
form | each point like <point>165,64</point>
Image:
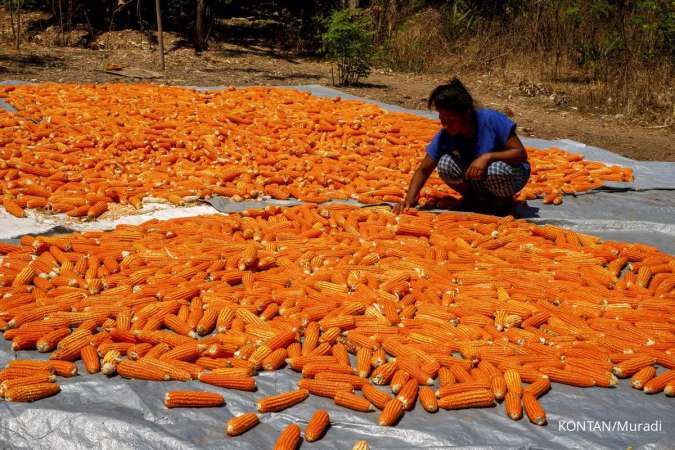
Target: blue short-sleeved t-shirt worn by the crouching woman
<point>492,131</point>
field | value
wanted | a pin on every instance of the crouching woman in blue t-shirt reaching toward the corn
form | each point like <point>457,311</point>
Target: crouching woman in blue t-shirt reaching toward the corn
<point>477,152</point>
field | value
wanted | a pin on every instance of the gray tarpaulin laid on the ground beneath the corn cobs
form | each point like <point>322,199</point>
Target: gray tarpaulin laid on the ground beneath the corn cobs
<point>95,412</point>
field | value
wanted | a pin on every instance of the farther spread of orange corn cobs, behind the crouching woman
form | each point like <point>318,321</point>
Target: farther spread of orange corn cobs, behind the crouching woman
<point>75,149</point>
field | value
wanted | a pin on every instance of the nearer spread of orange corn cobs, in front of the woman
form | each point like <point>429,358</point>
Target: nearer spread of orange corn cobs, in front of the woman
<point>376,311</point>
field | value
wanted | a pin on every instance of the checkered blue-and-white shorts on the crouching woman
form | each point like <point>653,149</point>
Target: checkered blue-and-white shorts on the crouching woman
<point>501,179</point>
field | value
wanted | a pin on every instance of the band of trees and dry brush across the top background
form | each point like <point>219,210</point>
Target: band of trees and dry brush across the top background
<point>608,57</point>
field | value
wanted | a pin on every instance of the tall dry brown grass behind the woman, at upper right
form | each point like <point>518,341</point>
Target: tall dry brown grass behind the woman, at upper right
<point>625,84</point>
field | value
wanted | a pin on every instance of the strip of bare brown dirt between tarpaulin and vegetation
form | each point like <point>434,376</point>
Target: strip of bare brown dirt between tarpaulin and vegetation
<point>537,115</point>
